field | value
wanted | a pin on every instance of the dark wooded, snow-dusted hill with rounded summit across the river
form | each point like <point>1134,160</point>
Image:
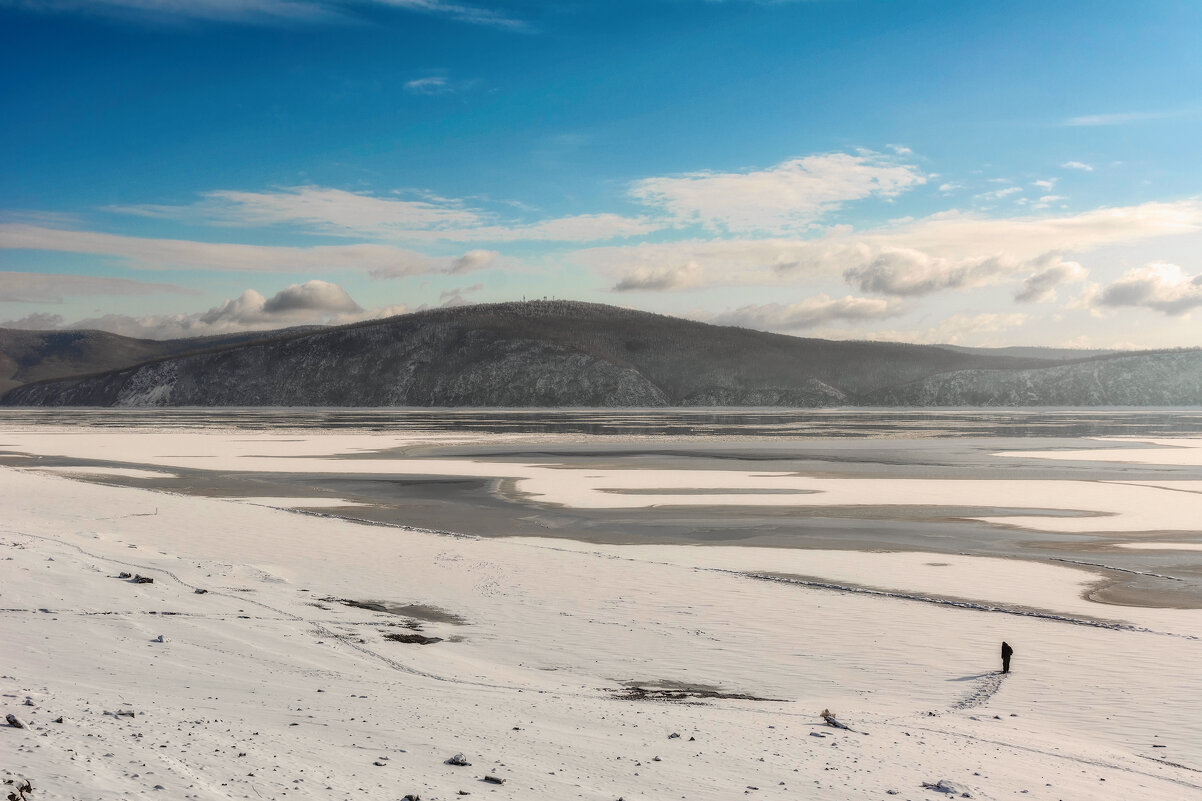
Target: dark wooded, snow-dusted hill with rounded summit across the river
<point>570,354</point>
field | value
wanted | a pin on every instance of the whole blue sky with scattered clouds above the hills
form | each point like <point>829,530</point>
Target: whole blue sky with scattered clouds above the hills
<point>941,173</point>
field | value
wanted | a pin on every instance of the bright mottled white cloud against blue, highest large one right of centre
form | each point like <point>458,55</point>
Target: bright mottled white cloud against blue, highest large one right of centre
<point>788,197</point>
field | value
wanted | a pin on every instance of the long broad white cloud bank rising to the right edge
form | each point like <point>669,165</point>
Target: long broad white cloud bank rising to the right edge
<point>943,252</point>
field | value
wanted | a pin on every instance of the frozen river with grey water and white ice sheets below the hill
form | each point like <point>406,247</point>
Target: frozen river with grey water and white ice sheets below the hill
<point>1118,491</point>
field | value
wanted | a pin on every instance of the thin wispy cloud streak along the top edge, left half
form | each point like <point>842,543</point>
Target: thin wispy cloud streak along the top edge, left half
<point>264,13</point>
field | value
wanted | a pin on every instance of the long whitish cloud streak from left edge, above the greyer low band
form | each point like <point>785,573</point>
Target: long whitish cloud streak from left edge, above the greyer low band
<point>183,254</point>
